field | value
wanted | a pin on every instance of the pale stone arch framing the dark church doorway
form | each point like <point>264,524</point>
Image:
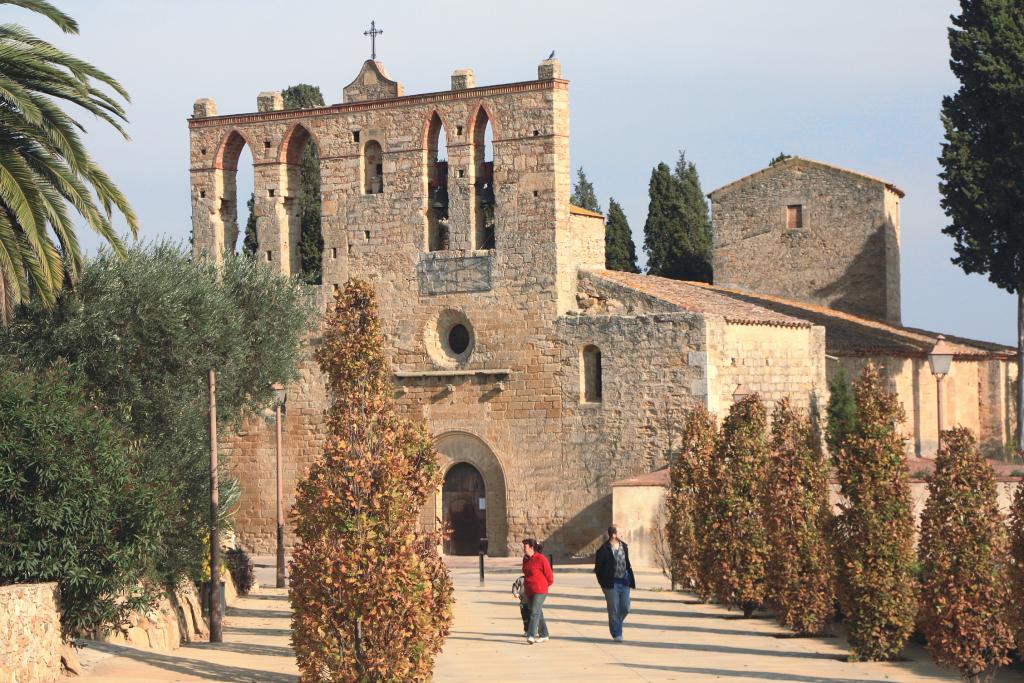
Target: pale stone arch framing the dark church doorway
<point>459,447</point>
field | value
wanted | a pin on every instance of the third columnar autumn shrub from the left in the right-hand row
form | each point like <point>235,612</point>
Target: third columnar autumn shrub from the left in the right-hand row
<point>801,571</point>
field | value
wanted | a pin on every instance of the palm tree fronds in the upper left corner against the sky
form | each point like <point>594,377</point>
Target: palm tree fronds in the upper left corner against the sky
<point>46,170</point>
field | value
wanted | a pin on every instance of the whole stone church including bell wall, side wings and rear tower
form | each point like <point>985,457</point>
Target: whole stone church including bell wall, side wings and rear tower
<point>544,377</point>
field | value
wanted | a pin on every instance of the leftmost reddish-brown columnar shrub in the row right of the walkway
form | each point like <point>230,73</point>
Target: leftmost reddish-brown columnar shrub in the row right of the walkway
<point>689,477</point>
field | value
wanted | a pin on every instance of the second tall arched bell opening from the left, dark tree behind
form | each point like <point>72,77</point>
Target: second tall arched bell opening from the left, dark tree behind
<point>303,205</point>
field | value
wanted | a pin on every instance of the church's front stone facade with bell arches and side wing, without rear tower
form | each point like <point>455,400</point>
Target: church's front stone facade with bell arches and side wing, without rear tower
<point>548,376</point>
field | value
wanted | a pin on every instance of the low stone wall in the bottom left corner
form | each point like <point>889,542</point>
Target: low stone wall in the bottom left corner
<point>30,633</point>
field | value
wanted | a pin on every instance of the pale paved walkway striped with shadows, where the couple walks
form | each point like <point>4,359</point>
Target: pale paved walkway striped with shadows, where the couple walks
<point>667,639</point>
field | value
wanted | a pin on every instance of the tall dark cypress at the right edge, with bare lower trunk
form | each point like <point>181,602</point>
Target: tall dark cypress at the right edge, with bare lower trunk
<point>983,179</point>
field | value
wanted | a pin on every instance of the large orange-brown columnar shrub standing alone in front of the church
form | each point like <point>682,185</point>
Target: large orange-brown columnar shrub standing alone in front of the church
<point>371,599</point>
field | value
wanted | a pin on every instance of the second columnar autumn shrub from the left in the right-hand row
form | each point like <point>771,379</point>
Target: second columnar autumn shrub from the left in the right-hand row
<point>736,541</point>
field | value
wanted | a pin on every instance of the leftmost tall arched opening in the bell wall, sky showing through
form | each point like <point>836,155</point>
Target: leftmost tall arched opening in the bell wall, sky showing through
<point>235,153</point>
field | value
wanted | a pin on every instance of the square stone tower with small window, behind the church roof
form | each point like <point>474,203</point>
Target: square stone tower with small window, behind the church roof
<point>814,233</point>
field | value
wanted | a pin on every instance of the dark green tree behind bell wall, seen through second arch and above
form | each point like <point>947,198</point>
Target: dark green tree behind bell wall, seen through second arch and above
<point>312,238</point>
